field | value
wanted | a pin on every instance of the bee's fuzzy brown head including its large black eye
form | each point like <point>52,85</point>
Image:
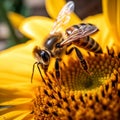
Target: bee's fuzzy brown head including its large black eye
<point>41,55</point>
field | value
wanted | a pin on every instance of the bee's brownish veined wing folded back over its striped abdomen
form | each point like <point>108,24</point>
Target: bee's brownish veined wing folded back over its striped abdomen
<point>83,31</point>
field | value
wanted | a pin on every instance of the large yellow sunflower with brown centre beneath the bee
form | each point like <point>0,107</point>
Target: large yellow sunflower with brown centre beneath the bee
<point>77,95</point>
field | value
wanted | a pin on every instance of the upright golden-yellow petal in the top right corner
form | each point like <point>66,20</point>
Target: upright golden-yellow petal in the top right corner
<point>111,10</point>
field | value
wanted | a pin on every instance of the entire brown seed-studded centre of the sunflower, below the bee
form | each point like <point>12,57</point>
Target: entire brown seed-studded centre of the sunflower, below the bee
<point>97,93</point>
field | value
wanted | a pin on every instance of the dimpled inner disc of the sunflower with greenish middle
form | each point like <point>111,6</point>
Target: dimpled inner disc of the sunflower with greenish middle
<point>100,68</point>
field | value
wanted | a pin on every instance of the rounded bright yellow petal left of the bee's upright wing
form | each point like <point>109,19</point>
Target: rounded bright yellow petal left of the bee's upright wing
<point>36,28</point>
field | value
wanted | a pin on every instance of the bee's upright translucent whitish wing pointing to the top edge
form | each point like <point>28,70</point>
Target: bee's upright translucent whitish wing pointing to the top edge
<point>63,17</point>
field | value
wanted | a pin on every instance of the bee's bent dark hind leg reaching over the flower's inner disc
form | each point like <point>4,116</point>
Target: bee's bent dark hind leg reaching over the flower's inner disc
<point>80,56</point>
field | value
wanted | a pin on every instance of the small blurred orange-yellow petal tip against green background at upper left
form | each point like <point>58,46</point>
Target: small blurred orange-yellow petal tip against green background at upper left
<point>15,19</point>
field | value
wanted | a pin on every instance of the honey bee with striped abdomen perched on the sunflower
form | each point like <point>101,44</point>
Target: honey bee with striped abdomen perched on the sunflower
<point>58,43</point>
